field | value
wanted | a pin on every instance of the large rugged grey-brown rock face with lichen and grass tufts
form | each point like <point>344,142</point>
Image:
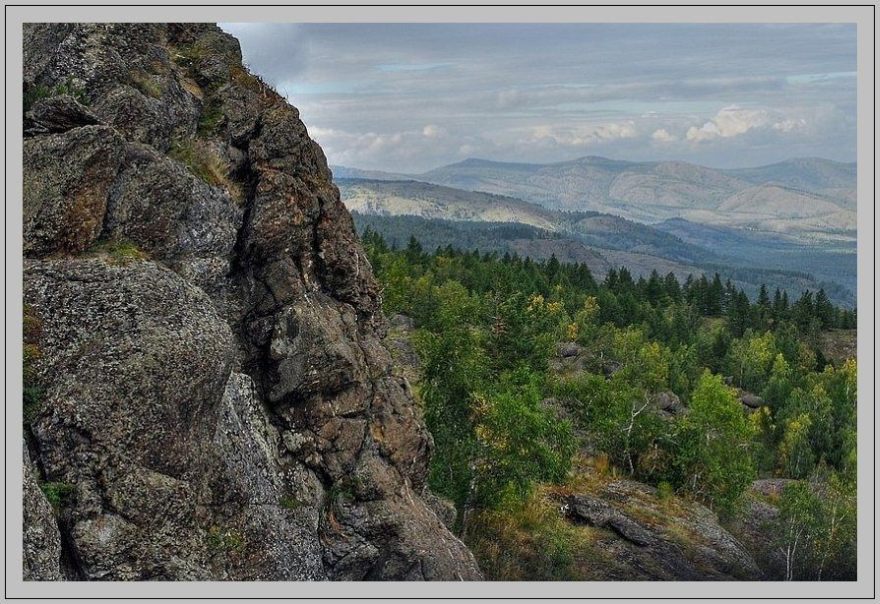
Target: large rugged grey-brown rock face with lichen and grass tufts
<point>215,400</point>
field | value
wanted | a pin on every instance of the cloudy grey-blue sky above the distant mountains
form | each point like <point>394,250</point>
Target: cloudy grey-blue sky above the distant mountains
<point>410,97</point>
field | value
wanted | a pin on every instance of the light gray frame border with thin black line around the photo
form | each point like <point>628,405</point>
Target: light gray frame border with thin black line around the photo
<point>862,15</point>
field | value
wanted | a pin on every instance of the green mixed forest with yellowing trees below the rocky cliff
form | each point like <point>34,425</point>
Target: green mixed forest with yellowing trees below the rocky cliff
<point>761,398</point>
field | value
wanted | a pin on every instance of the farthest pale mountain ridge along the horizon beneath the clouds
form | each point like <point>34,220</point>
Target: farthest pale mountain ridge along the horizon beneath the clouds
<point>810,198</point>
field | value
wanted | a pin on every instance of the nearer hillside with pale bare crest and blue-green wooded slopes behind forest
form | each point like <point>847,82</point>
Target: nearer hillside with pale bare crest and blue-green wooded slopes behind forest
<point>452,216</point>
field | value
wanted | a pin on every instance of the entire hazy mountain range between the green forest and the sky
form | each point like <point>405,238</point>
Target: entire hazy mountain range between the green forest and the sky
<point>774,250</point>
